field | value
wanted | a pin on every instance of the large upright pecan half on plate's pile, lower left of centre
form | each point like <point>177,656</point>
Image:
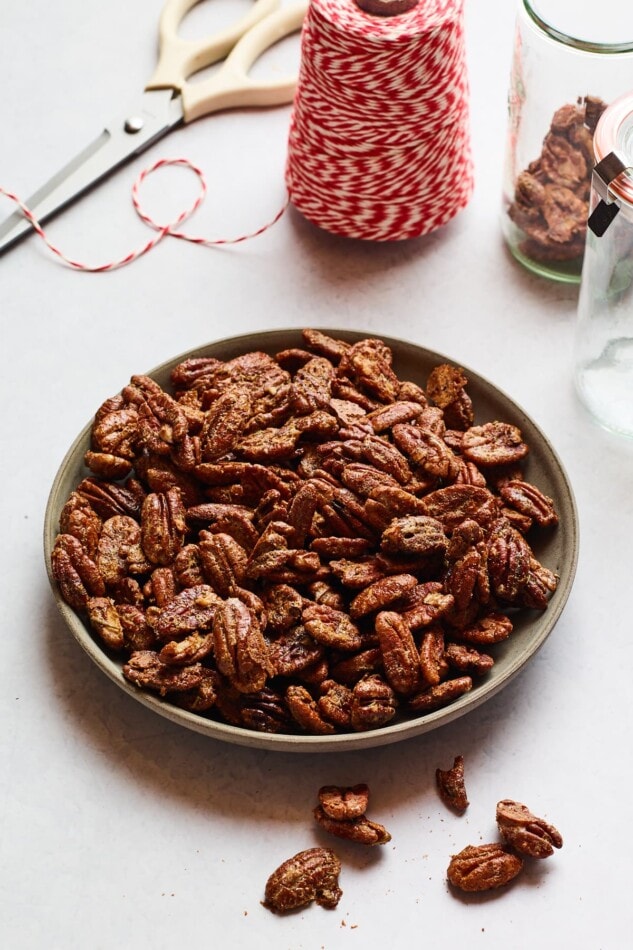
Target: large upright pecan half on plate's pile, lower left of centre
<point>240,650</point>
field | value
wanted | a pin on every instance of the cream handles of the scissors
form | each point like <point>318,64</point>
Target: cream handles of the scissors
<point>241,43</point>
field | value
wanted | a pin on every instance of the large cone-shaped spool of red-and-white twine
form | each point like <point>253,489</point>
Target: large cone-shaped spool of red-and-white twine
<point>379,143</point>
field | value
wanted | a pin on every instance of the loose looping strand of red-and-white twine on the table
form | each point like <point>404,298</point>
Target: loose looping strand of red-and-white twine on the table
<point>163,230</point>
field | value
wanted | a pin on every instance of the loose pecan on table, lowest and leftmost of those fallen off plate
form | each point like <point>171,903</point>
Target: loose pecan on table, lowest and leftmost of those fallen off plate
<point>310,875</point>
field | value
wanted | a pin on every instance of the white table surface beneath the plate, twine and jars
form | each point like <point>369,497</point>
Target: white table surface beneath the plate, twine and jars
<point>120,829</point>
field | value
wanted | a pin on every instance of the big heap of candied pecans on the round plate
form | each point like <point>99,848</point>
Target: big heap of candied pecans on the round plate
<point>302,543</point>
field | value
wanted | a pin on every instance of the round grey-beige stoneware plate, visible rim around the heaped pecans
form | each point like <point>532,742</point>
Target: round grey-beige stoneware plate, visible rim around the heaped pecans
<point>556,548</point>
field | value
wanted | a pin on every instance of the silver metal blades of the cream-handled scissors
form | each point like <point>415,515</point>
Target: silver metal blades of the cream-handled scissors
<point>160,111</point>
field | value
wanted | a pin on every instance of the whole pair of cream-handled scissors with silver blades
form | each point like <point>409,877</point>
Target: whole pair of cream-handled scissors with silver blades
<point>170,100</point>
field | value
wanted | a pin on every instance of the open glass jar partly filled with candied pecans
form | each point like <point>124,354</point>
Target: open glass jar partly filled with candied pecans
<point>571,59</point>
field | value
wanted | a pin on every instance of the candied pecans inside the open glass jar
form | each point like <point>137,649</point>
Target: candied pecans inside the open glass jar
<point>551,199</point>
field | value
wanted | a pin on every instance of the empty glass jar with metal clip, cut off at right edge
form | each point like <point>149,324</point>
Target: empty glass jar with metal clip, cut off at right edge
<point>604,329</point>
